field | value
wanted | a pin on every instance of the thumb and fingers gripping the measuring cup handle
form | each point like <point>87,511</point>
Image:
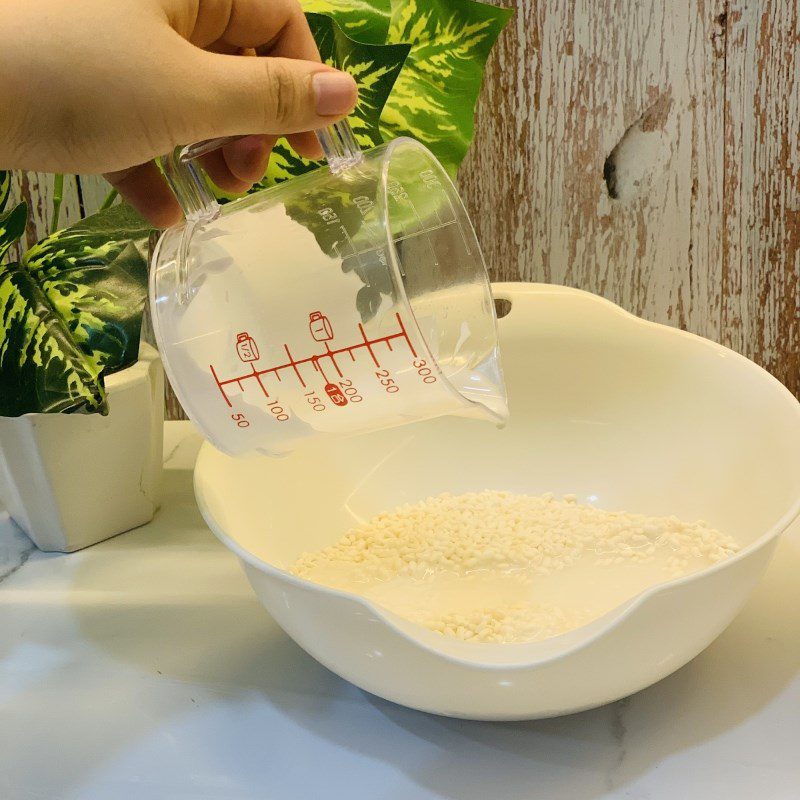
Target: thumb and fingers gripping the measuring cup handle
<point>284,90</point>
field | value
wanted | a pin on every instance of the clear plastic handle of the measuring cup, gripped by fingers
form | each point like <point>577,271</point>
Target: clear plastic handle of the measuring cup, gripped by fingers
<point>191,190</point>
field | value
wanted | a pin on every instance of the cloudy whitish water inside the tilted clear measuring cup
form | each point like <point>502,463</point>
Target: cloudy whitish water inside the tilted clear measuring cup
<point>273,344</point>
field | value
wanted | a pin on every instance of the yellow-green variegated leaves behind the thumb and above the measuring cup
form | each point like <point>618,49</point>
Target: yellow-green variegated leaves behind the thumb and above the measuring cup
<point>419,67</point>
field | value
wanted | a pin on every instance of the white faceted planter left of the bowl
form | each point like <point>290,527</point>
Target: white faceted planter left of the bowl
<point>71,480</point>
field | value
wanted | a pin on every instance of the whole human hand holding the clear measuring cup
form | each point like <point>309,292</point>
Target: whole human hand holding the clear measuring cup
<point>99,86</point>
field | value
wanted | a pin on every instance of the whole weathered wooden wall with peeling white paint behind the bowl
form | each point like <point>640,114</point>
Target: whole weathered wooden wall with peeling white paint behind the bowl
<point>646,150</point>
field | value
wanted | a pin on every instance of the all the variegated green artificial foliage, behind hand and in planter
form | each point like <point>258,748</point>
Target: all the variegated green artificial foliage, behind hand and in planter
<point>71,308</point>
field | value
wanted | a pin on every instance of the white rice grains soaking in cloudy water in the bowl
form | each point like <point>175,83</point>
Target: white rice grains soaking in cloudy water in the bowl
<point>501,567</point>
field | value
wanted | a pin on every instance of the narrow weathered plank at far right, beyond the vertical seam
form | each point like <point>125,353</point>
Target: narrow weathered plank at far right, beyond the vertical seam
<point>761,265</point>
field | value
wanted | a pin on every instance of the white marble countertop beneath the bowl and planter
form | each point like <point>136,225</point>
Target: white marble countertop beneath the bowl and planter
<point>144,667</point>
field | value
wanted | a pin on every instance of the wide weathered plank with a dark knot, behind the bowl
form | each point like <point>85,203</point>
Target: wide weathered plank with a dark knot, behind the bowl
<point>598,161</point>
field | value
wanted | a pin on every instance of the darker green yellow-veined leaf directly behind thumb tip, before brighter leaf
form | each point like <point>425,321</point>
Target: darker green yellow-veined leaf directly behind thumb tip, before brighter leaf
<point>375,69</point>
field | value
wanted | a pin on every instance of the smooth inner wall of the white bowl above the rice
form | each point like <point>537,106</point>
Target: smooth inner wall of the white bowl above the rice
<point>625,414</point>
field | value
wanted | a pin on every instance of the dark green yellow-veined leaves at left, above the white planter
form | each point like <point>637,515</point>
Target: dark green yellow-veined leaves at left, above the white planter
<point>71,311</point>
